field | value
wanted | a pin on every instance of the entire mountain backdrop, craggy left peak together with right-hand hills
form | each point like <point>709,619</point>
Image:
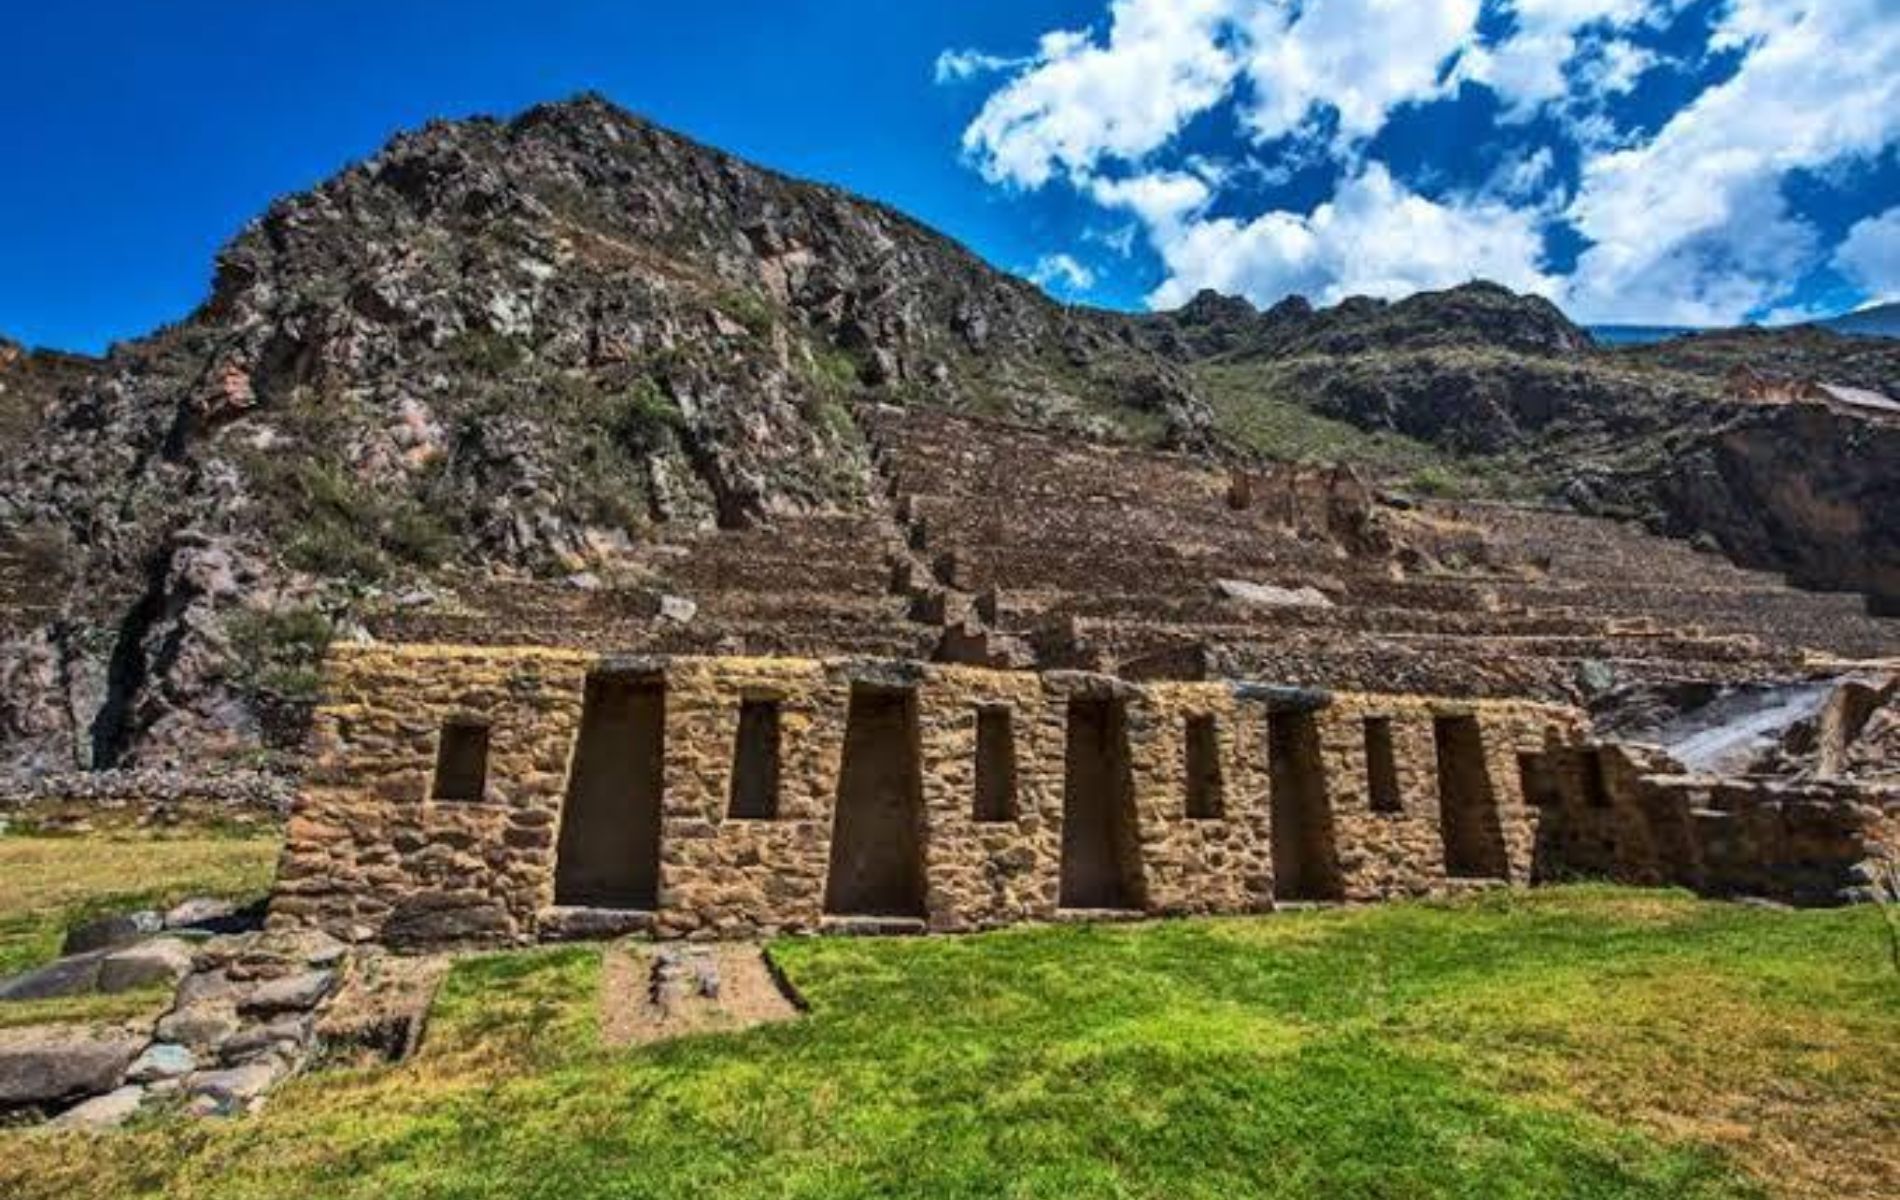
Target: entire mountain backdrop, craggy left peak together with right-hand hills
<point>518,350</point>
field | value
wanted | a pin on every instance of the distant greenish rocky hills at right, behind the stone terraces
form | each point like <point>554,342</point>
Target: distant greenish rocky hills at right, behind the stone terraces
<point>1720,438</point>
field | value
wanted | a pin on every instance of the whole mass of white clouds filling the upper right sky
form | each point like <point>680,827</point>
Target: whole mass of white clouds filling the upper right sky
<point>1688,223</point>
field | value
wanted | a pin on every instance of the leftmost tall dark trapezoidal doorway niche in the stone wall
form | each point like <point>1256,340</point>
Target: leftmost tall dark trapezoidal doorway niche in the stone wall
<point>609,852</point>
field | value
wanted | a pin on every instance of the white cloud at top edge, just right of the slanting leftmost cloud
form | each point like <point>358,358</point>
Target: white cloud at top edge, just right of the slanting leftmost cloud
<point>1359,58</point>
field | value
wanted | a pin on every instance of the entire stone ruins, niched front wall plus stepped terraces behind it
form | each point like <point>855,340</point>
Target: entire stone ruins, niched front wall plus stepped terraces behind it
<point>1040,679</point>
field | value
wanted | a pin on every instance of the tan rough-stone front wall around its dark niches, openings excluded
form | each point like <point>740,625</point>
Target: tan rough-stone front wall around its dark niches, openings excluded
<point>370,853</point>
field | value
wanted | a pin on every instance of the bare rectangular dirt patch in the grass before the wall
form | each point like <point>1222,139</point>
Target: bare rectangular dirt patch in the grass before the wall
<point>656,992</point>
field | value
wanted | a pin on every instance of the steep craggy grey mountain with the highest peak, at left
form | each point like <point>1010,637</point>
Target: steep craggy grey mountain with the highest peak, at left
<point>495,347</point>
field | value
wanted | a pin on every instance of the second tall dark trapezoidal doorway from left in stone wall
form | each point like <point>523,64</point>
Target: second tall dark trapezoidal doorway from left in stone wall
<point>877,857</point>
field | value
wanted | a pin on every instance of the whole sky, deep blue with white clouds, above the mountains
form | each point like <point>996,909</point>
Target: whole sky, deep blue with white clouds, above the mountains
<point>1639,160</point>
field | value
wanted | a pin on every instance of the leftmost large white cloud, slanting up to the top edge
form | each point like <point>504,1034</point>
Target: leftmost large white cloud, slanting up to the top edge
<point>1084,102</point>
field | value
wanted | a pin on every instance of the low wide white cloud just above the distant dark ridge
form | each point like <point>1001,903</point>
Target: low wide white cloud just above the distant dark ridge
<point>1373,238</point>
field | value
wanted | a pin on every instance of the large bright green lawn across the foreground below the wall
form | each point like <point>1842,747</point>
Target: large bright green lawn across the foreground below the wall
<point>1565,1043</point>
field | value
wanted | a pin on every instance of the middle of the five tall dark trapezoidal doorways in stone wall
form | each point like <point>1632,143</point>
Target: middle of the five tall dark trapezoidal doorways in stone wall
<point>1101,844</point>
